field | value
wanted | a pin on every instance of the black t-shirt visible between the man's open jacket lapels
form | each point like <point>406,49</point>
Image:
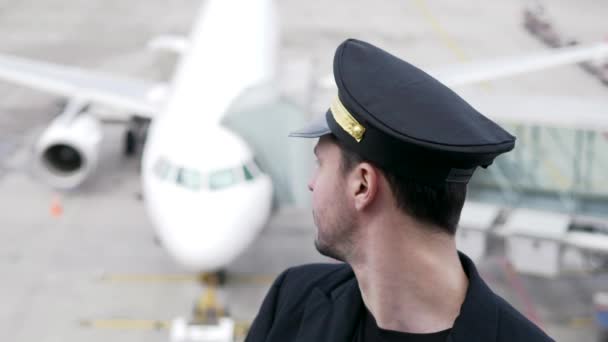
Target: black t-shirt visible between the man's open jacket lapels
<point>368,331</point>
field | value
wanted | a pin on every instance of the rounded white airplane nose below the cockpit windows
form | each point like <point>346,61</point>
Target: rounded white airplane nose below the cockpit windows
<point>205,231</point>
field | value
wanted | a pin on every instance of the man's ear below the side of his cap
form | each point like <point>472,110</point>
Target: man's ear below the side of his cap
<point>363,185</point>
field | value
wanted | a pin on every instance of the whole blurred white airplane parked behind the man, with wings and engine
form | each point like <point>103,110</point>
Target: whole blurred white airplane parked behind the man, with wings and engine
<point>204,193</point>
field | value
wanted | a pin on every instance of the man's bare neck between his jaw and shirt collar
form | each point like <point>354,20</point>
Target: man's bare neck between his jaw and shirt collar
<point>411,279</point>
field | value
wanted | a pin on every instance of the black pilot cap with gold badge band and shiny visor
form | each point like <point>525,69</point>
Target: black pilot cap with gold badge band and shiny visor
<point>402,119</point>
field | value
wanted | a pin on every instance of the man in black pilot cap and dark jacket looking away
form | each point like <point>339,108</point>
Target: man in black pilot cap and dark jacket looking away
<point>396,150</point>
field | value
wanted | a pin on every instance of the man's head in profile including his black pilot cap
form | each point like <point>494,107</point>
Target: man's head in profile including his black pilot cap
<point>393,138</point>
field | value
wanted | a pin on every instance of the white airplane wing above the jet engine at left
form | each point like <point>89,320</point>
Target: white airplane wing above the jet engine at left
<point>141,97</point>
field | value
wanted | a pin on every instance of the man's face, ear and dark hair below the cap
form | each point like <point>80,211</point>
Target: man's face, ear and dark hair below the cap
<point>345,188</point>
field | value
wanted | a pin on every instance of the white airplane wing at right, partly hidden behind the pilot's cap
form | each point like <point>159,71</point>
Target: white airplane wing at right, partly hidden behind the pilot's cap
<point>468,73</point>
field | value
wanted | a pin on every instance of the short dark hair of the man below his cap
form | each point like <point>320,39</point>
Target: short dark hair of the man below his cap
<point>439,204</point>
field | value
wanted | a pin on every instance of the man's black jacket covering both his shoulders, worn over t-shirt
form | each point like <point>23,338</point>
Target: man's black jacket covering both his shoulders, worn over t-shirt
<point>322,303</point>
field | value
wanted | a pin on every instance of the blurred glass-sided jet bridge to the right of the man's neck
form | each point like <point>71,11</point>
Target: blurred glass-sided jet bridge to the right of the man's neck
<point>545,201</point>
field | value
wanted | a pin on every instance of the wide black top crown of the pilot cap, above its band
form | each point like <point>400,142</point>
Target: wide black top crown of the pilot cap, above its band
<point>405,102</point>
